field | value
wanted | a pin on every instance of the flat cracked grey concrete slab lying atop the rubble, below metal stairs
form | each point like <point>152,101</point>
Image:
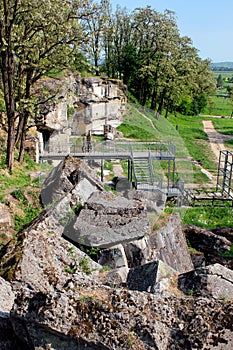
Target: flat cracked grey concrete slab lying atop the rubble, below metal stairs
<point>107,220</point>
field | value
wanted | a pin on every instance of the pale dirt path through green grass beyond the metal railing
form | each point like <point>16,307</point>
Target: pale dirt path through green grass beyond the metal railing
<point>216,139</point>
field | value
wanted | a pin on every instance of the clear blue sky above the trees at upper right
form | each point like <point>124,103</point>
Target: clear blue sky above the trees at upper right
<point>209,23</point>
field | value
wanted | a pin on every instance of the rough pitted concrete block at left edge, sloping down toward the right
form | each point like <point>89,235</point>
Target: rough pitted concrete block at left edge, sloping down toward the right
<point>45,262</point>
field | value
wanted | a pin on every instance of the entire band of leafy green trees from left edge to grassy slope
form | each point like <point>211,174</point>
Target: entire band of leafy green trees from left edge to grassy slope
<point>144,48</point>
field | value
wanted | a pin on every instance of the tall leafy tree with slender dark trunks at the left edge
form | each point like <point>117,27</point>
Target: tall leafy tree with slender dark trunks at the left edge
<point>35,37</point>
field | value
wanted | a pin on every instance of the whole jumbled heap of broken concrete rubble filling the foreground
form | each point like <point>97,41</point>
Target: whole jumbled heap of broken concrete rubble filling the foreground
<point>62,289</point>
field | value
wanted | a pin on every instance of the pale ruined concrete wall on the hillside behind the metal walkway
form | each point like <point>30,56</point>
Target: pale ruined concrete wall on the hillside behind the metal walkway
<point>80,106</point>
